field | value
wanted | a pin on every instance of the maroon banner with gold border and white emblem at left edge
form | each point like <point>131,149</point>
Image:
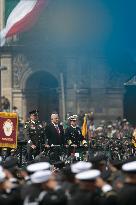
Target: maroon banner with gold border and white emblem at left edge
<point>8,129</point>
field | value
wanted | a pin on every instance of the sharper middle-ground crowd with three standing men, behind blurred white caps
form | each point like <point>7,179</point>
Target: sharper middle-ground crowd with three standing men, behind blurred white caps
<point>116,140</point>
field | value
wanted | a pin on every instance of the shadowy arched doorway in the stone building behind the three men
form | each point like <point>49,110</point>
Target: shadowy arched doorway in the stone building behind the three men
<point>41,93</point>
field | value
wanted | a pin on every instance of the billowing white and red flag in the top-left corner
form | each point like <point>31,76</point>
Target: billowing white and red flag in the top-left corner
<point>22,17</point>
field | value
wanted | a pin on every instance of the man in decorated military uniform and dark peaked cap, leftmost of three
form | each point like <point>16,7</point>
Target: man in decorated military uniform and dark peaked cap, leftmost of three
<point>35,135</point>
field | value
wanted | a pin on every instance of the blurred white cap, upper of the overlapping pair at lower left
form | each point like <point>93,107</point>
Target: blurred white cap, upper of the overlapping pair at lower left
<point>38,166</point>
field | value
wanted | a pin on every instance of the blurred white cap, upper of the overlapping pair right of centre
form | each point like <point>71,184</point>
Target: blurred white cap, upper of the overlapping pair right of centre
<point>80,166</point>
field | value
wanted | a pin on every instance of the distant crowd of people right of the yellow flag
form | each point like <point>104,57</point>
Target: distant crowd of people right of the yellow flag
<point>115,139</point>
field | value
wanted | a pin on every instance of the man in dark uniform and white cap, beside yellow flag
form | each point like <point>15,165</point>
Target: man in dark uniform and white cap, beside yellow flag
<point>73,134</point>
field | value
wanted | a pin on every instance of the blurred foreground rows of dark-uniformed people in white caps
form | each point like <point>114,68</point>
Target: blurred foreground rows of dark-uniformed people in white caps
<point>94,182</point>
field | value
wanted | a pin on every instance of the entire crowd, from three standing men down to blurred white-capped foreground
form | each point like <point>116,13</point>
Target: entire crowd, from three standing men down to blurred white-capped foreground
<point>61,166</point>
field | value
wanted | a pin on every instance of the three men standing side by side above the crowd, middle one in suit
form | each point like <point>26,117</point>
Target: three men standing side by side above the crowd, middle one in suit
<point>40,136</point>
